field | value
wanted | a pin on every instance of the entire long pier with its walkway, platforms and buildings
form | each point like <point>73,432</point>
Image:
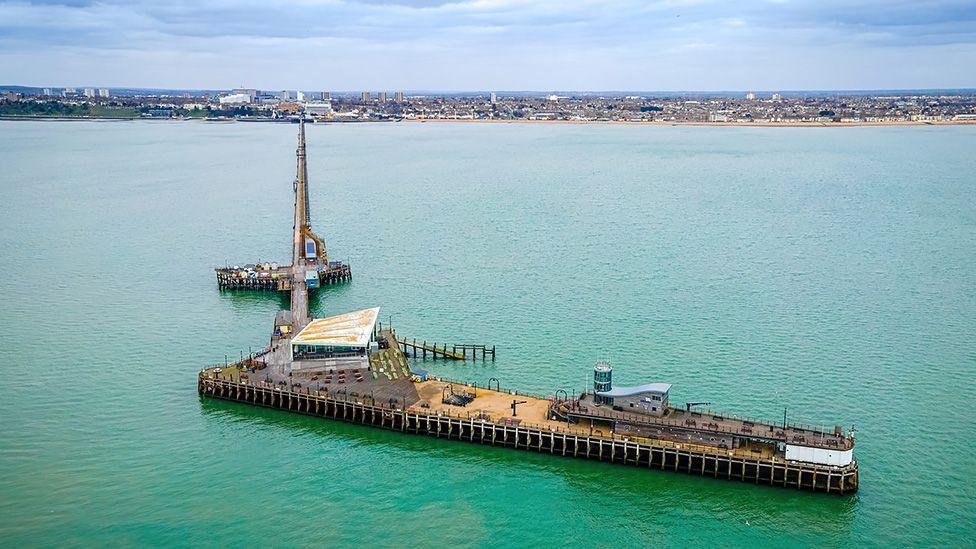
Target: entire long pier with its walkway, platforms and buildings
<point>349,367</point>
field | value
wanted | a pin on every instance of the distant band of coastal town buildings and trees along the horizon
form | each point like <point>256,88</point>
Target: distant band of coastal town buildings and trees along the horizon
<point>959,107</point>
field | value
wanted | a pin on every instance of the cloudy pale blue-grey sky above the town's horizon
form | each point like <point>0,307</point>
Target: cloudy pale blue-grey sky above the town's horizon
<point>472,45</point>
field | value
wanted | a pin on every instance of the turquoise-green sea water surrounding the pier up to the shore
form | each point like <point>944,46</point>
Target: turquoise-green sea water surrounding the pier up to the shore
<point>832,271</point>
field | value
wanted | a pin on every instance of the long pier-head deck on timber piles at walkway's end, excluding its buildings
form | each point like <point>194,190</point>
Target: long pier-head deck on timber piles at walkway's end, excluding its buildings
<point>379,389</point>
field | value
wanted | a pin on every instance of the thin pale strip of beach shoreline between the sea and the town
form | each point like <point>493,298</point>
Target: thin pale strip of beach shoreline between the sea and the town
<point>523,121</point>
